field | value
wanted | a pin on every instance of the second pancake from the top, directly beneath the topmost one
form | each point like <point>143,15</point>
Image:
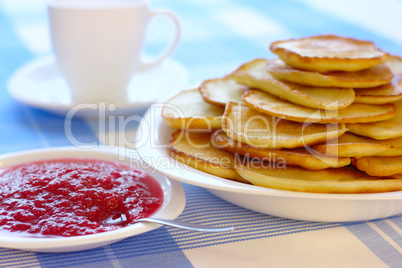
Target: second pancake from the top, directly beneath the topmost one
<point>372,77</point>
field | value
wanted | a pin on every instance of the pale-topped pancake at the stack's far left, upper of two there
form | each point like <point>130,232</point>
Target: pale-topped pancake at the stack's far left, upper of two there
<point>187,110</point>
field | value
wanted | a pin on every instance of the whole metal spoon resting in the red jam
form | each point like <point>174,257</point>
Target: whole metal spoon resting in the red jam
<point>173,223</point>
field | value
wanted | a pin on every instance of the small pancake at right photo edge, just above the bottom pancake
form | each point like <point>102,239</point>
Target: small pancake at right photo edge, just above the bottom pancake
<point>380,166</point>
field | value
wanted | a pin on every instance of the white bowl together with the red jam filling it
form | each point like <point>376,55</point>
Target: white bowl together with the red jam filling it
<point>61,199</point>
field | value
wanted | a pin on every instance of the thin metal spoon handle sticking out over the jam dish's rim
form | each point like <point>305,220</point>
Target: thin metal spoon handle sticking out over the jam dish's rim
<point>187,225</point>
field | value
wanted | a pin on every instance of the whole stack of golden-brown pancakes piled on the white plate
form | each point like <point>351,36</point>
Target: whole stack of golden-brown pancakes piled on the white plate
<point>322,117</point>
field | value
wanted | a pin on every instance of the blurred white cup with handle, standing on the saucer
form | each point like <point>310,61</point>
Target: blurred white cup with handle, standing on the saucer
<point>98,45</point>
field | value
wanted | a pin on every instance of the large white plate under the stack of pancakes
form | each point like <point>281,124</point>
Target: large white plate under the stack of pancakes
<point>154,133</point>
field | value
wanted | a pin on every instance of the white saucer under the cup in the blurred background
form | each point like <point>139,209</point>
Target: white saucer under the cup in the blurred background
<point>39,84</point>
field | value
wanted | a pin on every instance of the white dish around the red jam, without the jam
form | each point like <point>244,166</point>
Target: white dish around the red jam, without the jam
<point>173,205</point>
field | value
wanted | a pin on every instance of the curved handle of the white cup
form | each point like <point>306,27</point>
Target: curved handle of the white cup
<point>146,65</point>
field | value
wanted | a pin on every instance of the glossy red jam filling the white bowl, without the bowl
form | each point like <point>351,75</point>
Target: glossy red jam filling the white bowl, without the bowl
<point>70,197</point>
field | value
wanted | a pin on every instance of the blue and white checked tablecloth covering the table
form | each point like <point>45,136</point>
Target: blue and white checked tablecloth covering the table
<point>217,37</point>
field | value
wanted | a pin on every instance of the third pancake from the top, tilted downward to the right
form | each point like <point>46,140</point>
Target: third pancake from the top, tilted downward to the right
<point>254,74</point>
